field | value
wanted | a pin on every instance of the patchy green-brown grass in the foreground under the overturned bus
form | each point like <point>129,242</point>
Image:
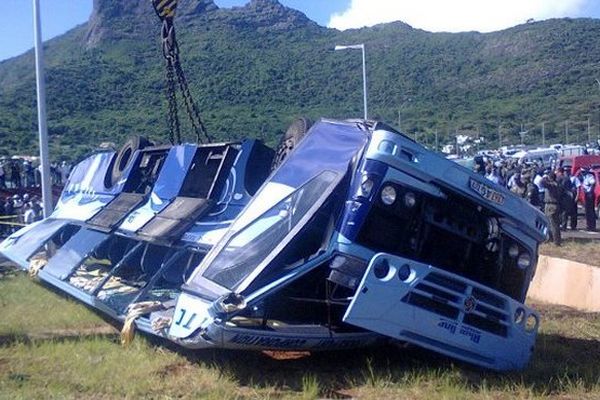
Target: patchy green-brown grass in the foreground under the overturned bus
<point>51,347</point>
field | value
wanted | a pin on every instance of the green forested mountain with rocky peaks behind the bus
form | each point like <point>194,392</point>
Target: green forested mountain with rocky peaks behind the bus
<point>253,69</point>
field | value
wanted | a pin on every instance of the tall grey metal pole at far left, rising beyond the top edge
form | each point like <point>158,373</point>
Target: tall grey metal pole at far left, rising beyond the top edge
<point>47,200</point>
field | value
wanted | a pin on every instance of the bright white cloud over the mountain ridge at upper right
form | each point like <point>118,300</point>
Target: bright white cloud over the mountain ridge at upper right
<point>453,15</point>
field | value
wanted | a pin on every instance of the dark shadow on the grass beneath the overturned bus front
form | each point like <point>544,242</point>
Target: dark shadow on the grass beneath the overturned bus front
<point>558,364</point>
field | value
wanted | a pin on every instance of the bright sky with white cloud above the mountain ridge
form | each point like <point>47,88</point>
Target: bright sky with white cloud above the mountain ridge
<point>58,16</point>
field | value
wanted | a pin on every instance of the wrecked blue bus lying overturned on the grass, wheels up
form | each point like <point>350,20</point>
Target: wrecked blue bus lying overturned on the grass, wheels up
<point>350,234</point>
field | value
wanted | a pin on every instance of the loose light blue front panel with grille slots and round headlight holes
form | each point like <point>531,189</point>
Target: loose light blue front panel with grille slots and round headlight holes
<point>443,312</point>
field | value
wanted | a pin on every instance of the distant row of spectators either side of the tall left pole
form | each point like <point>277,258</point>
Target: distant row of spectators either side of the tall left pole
<point>18,173</point>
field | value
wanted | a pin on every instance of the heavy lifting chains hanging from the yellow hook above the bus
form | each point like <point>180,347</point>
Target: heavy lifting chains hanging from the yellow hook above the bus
<point>165,9</point>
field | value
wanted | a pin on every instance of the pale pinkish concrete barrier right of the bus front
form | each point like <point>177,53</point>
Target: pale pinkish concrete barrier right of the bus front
<point>566,283</point>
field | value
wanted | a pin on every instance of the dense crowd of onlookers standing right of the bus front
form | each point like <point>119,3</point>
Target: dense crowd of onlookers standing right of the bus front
<point>553,190</point>
